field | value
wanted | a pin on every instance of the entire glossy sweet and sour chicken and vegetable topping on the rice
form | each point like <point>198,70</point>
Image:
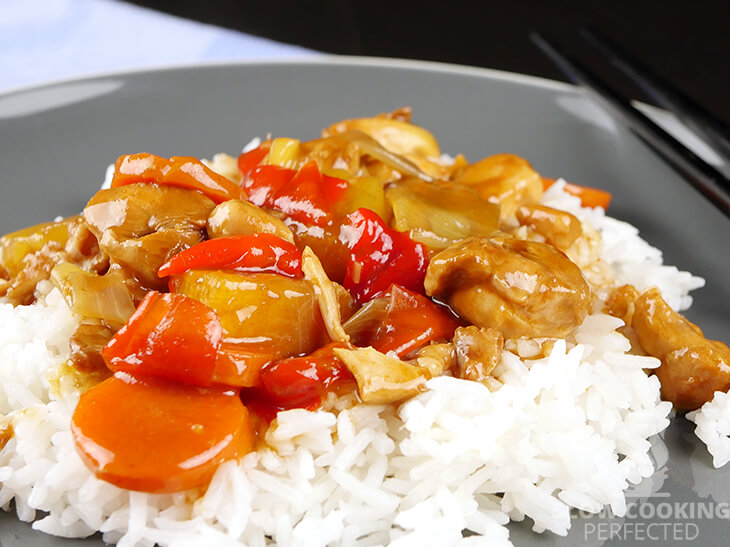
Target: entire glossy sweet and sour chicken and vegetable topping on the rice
<point>359,264</point>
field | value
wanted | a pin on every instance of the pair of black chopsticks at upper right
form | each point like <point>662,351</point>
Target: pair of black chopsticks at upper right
<point>704,177</point>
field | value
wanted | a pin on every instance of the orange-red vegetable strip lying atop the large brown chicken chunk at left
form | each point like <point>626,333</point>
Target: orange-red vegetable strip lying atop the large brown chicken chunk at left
<point>185,172</point>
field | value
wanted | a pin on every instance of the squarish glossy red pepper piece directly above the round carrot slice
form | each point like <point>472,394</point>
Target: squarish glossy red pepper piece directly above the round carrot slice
<point>169,336</point>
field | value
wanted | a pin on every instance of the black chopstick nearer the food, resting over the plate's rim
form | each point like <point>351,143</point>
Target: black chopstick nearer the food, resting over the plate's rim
<point>705,178</point>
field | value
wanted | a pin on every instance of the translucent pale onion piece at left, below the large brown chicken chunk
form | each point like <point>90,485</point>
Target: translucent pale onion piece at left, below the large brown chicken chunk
<point>93,296</point>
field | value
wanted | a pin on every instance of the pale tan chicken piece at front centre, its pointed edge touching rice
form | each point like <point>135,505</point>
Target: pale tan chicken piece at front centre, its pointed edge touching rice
<point>380,378</point>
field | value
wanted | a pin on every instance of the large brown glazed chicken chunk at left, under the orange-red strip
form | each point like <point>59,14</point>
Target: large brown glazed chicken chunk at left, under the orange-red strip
<point>140,226</point>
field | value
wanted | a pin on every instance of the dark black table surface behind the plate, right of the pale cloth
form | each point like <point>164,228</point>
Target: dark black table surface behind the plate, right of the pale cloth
<point>685,41</point>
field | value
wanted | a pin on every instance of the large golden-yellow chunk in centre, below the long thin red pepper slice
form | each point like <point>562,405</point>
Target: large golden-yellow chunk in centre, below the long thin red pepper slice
<point>265,313</point>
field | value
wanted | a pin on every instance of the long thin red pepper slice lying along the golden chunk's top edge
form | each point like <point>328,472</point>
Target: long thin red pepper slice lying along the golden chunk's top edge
<point>255,253</point>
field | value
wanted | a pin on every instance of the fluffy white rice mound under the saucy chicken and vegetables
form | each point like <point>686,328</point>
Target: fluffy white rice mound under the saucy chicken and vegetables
<point>569,430</point>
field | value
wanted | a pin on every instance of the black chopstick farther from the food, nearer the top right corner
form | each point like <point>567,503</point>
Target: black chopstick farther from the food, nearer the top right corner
<point>714,131</point>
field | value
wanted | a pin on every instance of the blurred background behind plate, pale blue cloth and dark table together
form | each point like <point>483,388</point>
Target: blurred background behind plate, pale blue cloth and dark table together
<point>685,41</point>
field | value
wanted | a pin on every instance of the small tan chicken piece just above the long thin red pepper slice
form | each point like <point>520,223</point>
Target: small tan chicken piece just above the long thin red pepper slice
<point>237,217</point>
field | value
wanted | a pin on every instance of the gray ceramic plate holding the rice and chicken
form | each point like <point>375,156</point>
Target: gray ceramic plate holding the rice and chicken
<point>56,141</point>
